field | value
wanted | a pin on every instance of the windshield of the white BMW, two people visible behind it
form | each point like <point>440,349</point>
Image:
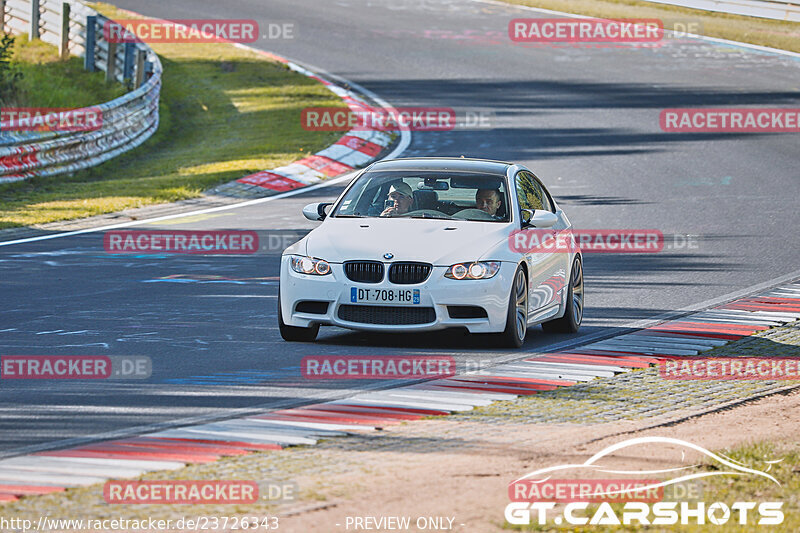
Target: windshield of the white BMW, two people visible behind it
<point>433,194</point>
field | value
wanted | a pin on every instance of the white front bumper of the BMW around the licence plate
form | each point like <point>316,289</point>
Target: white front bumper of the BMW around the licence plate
<point>436,293</point>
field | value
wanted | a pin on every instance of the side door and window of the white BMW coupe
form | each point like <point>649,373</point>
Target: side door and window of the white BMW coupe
<point>547,268</point>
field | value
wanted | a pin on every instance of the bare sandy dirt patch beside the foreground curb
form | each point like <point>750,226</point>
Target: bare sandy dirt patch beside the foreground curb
<point>466,478</point>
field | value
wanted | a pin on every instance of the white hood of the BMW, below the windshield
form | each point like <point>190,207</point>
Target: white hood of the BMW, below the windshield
<point>440,242</point>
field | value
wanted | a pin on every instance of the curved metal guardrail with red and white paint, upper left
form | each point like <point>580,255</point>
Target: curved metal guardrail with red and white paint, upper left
<point>125,122</point>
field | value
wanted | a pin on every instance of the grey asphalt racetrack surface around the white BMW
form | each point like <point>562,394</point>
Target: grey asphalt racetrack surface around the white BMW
<point>586,120</point>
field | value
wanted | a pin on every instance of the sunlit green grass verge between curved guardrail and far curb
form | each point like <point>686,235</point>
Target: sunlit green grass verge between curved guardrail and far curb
<point>225,113</point>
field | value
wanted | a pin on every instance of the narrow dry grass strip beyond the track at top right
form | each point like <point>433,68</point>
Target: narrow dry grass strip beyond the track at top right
<point>763,32</point>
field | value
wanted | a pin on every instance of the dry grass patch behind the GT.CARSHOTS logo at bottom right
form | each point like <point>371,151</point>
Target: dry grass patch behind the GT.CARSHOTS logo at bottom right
<point>728,489</point>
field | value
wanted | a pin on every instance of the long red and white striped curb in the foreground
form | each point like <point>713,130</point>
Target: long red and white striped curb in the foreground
<point>53,471</point>
